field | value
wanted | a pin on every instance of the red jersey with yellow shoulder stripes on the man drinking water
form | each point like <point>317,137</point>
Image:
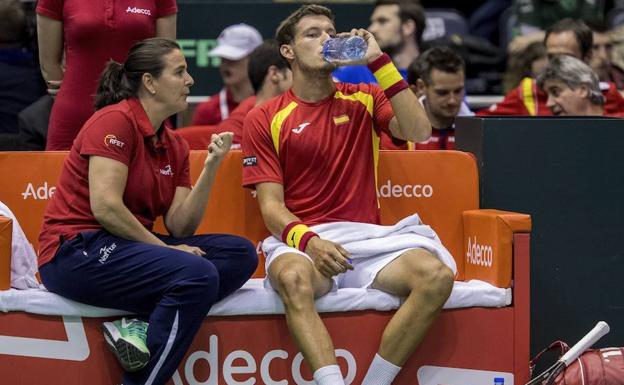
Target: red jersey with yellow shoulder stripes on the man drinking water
<point>324,154</point>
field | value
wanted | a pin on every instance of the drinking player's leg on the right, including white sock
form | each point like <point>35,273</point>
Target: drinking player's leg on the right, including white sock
<point>426,283</point>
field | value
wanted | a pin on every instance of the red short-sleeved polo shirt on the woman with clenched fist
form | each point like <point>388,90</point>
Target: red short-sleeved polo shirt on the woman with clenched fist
<point>124,133</point>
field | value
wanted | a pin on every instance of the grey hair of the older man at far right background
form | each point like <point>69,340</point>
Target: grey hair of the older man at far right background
<point>573,73</point>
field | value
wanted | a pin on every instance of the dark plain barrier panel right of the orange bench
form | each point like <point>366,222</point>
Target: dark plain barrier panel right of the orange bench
<point>568,174</point>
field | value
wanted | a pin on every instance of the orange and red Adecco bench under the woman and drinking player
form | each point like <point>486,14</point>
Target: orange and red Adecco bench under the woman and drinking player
<point>464,344</point>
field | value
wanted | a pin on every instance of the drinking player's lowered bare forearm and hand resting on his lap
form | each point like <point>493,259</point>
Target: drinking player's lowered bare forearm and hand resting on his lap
<point>329,257</point>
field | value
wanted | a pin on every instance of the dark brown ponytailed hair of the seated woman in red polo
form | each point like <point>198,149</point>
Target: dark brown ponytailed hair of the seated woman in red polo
<point>122,81</point>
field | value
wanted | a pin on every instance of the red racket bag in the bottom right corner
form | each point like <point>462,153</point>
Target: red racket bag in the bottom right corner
<point>593,367</point>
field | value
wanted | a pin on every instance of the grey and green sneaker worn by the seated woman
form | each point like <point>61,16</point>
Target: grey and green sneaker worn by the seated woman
<point>126,338</point>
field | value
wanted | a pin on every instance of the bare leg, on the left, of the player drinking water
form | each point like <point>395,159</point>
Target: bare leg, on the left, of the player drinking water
<point>298,284</point>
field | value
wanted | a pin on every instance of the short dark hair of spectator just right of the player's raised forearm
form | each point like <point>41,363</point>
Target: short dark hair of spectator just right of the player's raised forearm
<point>441,58</point>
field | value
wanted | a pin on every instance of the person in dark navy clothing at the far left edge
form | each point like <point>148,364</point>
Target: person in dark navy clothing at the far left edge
<point>20,81</point>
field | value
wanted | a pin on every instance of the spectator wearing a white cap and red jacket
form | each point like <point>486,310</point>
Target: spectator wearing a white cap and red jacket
<point>234,45</point>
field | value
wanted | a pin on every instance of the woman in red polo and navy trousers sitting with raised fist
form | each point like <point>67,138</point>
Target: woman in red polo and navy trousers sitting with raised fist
<point>126,168</point>
